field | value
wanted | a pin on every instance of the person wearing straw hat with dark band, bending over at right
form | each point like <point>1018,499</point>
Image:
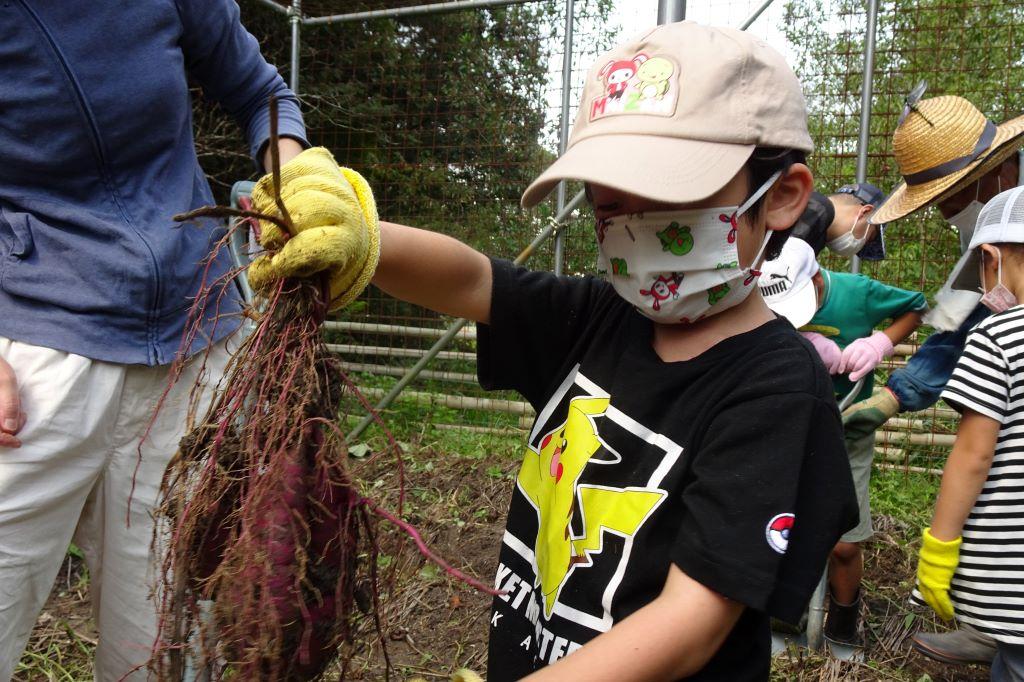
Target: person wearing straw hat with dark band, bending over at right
<point>956,159</point>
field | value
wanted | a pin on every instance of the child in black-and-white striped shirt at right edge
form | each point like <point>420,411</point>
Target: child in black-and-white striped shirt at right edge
<point>972,557</point>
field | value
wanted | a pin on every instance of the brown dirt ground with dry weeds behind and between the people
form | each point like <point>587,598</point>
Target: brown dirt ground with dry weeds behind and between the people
<point>435,625</point>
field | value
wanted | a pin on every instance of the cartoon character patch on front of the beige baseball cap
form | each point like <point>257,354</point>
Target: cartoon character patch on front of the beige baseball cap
<point>644,84</point>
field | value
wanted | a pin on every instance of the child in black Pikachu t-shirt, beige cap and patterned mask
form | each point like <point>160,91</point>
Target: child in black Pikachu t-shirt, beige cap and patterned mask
<point>686,478</point>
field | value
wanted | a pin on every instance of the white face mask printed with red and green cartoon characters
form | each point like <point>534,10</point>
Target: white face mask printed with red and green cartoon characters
<point>679,267</point>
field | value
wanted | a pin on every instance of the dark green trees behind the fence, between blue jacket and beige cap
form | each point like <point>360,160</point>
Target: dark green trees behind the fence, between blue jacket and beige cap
<point>446,115</point>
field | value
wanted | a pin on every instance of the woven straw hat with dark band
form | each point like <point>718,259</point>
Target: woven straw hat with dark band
<point>942,146</point>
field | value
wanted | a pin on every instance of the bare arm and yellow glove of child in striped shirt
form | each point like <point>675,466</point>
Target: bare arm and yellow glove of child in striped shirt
<point>963,480</point>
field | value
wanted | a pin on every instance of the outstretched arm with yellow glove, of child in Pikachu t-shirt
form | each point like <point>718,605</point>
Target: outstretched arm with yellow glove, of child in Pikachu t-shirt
<point>335,206</point>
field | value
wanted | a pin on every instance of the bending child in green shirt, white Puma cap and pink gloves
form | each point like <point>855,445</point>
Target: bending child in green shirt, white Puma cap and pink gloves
<point>838,314</point>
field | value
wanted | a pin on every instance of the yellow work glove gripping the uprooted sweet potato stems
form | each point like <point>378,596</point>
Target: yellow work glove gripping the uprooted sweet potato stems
<point>335,219</point>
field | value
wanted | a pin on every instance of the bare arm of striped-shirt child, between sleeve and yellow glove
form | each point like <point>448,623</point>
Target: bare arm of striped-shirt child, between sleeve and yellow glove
<point>965,474</point>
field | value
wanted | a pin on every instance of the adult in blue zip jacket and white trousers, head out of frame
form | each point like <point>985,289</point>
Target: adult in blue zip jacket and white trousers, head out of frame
<point>97,153</point>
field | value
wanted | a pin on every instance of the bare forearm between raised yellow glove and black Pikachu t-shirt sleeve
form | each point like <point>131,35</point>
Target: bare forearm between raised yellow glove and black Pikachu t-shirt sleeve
<point>435,271</point>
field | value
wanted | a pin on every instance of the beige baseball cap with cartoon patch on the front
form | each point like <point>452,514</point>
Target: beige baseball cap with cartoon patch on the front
<point>675,113</point>
